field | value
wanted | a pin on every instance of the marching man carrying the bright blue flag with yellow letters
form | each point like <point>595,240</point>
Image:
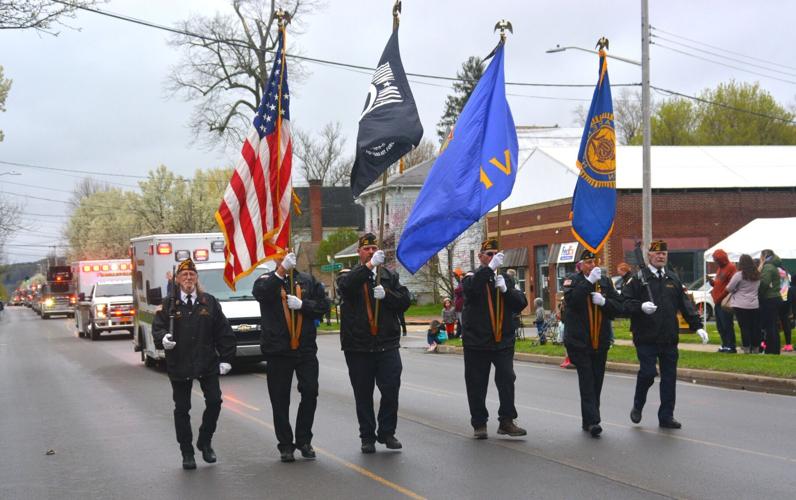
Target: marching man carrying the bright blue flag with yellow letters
<point>490,302</point>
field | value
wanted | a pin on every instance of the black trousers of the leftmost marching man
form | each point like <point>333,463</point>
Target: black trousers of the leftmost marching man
<point>181,393</point>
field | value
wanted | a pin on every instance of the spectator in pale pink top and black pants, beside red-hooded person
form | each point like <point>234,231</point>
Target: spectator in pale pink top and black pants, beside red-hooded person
<point>744,286</point>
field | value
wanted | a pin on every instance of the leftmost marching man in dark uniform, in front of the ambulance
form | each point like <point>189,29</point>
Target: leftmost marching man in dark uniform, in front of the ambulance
<point>201,347</point>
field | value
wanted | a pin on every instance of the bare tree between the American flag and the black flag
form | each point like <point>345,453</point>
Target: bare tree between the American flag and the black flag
<point>322,157</point>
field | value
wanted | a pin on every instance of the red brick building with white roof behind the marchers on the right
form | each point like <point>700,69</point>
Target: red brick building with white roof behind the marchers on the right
<point>701,194</point>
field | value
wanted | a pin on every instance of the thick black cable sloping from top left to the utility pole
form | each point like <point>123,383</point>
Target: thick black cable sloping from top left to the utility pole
<point>370,70</point>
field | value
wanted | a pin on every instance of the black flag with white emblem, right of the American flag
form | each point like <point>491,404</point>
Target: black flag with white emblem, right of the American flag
<point>389,126</point>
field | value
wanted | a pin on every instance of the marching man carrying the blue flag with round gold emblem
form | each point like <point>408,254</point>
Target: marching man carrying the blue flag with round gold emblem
<point>591,302</point>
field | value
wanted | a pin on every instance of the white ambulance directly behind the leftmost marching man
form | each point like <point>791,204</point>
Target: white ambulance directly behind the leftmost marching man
<point>156,255</point>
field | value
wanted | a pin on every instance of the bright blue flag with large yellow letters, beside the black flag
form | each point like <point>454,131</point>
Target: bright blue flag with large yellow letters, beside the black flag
<point>471,176</point>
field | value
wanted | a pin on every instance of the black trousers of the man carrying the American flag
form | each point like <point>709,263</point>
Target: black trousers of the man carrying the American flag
<point>280,371</point>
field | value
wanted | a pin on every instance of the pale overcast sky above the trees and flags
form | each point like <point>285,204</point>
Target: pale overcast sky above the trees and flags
<point>95,99</point>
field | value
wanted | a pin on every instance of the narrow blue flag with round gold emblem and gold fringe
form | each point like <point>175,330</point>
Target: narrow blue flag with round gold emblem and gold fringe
<point>594,201</point>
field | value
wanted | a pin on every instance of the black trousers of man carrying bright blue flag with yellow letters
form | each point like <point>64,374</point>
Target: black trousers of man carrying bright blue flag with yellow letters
<point>477,365</point>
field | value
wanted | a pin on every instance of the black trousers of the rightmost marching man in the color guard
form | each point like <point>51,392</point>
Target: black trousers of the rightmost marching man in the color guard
<point>667,357</point>
